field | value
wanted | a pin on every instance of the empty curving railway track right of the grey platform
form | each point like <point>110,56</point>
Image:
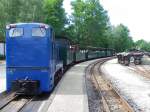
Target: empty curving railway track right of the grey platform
<point>110,98</point>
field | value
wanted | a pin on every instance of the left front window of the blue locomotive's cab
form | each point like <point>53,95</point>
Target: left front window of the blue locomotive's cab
<point>16,32</point>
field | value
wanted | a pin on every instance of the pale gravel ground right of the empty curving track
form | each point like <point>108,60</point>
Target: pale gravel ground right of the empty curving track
<point>133,86</point>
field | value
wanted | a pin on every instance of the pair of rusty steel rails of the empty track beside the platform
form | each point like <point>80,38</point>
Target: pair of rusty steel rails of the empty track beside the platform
<point>106,105</point>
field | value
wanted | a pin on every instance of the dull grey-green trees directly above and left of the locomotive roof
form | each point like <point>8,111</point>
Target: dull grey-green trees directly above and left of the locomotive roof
<point>12,11</point>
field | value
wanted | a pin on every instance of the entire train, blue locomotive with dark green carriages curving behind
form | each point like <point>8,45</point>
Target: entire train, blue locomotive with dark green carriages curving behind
<point>34,57</point>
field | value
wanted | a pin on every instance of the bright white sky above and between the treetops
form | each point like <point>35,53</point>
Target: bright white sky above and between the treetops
<point>135,14</point>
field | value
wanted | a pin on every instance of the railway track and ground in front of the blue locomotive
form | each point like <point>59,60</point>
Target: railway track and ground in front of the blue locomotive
<point>16,103</point>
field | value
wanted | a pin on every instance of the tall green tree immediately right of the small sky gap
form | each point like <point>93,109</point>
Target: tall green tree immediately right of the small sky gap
<point>90,22</point>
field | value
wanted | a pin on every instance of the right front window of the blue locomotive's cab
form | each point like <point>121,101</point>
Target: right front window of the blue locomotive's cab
<point>38,32</point>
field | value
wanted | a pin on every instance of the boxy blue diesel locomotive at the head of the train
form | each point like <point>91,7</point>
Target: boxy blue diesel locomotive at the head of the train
<point>32,58</point>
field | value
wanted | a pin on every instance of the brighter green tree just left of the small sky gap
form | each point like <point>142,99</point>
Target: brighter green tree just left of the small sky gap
<point>54,14</point>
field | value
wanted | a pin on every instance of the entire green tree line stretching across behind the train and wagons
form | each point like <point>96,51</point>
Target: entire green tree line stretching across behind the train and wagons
<point>88,25</point>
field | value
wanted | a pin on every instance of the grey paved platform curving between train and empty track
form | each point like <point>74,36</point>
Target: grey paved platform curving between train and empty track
<point>70,94</point>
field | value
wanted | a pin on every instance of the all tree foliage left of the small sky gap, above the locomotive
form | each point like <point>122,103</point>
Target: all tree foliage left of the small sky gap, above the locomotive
<point>46,11</point>
